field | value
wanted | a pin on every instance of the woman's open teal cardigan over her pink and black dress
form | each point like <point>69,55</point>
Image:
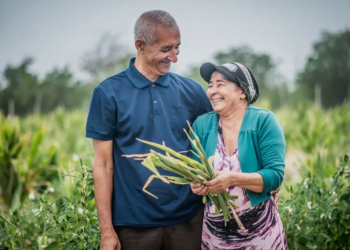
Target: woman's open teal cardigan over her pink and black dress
<point>261,146</point>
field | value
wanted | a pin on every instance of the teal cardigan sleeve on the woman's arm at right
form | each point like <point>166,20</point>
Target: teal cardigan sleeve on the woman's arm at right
<point>272,147</point>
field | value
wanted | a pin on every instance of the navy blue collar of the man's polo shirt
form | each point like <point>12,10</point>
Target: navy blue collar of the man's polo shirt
<point>140,81</point>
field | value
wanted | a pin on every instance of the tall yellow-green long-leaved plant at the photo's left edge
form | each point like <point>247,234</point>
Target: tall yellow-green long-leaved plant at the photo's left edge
<point>21,175</point>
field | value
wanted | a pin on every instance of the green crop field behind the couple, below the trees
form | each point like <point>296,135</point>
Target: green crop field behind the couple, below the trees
<point>46,186</point>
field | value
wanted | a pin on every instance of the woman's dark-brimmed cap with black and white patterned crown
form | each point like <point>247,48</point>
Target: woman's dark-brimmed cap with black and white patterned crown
<point>237,73</point>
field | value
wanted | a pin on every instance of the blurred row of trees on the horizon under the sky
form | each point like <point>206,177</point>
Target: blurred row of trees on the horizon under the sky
<point>324,80</point>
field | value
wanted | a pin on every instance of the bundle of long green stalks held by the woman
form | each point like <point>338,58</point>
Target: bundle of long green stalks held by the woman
<point>189,171</point>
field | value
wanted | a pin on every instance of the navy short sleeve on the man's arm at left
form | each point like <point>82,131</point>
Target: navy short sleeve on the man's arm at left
<point>101,121</point>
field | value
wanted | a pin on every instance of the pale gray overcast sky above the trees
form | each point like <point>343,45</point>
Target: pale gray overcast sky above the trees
<point>57,32</point>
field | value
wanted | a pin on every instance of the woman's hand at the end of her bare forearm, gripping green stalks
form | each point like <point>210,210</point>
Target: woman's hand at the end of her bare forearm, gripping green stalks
<point>221,182</point>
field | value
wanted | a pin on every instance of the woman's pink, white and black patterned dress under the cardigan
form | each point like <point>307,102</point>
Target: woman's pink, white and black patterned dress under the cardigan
<point>263,226</point>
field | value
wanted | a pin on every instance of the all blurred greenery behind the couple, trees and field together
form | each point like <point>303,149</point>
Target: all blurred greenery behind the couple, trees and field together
<point>46,194</point>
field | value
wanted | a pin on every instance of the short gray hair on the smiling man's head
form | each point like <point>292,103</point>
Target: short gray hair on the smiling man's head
<point>145,26</point>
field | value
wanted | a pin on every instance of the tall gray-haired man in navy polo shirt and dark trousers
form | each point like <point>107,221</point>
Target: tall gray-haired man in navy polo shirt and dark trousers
<point>145,101</point>
